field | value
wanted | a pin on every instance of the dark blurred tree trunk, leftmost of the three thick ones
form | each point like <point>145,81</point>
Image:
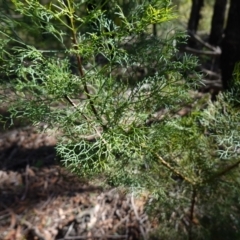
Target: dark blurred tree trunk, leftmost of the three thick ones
<point>194,19</point>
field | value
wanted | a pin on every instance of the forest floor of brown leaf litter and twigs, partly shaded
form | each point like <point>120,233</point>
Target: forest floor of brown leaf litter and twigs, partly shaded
<point>40,199</point>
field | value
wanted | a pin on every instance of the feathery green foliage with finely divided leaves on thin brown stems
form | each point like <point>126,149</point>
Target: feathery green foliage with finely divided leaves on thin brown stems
<point>113,91</point>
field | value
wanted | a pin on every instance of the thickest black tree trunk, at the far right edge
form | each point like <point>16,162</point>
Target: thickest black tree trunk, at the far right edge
<point>231,44</point>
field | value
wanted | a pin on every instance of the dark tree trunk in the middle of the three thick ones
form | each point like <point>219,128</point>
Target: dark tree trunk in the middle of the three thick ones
<point>217,22</point>
